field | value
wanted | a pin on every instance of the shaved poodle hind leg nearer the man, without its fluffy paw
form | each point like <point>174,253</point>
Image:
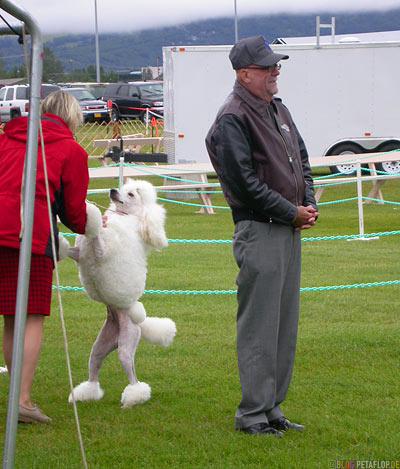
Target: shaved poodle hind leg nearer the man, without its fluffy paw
<point>128,339</point>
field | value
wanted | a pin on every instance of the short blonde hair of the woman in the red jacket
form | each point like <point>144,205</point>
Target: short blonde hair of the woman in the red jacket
<point>65,106</point>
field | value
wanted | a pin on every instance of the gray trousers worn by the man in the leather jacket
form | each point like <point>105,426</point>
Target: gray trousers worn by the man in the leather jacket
<point>269,260</point>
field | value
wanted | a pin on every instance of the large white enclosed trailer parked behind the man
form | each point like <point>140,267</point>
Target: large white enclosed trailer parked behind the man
<point>344,97</point>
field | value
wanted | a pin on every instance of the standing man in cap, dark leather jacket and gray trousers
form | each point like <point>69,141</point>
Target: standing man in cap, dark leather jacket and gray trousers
<point>262,164</point>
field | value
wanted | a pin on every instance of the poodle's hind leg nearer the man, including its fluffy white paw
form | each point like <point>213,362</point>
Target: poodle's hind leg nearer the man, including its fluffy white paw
<point>129,336</point>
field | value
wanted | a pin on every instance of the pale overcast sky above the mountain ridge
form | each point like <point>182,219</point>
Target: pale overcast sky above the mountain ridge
<point>72,16</point>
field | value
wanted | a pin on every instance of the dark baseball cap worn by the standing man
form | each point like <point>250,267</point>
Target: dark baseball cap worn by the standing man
<point>253,50</point>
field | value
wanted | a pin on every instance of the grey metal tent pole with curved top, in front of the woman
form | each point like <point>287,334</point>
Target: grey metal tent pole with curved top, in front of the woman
<point>26,241</point>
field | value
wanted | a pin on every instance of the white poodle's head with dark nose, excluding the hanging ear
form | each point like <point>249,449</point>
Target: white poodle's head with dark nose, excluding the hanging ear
<point>133,195</point>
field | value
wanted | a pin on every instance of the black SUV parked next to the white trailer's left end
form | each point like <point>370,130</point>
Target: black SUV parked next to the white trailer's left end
<point>131,100</point>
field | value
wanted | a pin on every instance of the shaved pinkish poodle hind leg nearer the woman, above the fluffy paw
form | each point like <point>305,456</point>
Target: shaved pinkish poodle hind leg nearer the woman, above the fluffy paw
<point>106,342</point>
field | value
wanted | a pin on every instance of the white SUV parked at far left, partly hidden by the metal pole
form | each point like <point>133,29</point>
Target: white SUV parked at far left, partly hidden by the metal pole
<point>14,100</point>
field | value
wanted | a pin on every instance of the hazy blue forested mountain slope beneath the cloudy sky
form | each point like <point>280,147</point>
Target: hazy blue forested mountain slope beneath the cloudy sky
<point>129,51</point>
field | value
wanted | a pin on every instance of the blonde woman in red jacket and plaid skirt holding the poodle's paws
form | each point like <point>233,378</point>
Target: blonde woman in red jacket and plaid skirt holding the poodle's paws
<point>68,178</point>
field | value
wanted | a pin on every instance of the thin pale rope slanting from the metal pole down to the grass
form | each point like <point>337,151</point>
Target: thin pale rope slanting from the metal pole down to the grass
<point>60,301</point>
